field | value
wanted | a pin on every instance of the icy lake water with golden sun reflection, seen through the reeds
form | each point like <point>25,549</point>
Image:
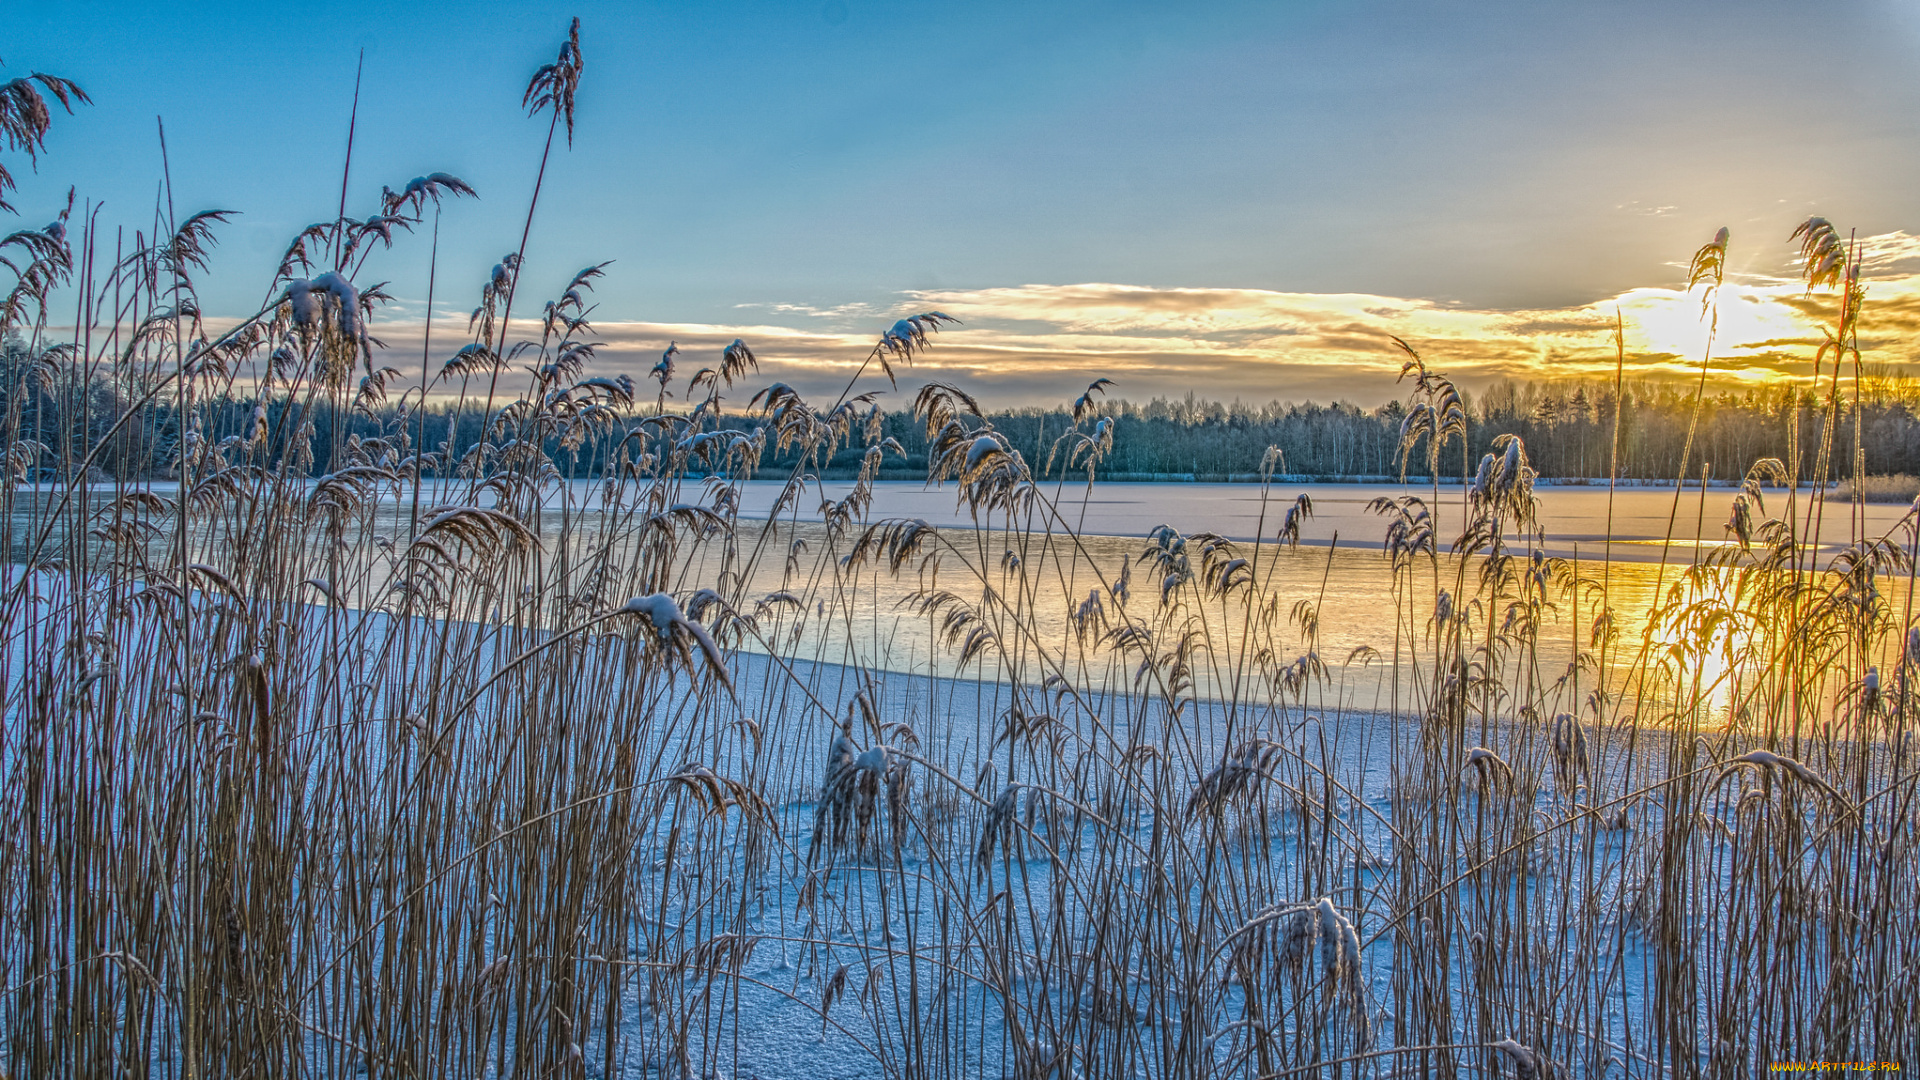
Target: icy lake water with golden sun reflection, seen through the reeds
<point>861,616</point>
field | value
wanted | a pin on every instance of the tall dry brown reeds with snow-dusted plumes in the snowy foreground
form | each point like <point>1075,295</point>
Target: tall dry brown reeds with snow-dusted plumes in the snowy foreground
<point>443,768</point>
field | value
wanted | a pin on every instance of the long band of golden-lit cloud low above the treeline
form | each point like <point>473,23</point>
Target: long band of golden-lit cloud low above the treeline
<point>1040,345</point>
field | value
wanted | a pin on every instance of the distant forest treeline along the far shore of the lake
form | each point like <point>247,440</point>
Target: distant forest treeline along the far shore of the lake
<point>1568,428</point>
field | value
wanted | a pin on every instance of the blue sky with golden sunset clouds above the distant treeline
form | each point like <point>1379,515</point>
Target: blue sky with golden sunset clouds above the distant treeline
<point>1236,201</point>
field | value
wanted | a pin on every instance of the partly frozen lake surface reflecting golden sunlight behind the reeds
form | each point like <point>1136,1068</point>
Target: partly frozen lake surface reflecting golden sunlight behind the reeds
<point>1339,570</point>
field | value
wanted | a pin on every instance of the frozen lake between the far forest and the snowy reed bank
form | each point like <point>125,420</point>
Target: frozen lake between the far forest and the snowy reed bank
<point>1339,566</point>
